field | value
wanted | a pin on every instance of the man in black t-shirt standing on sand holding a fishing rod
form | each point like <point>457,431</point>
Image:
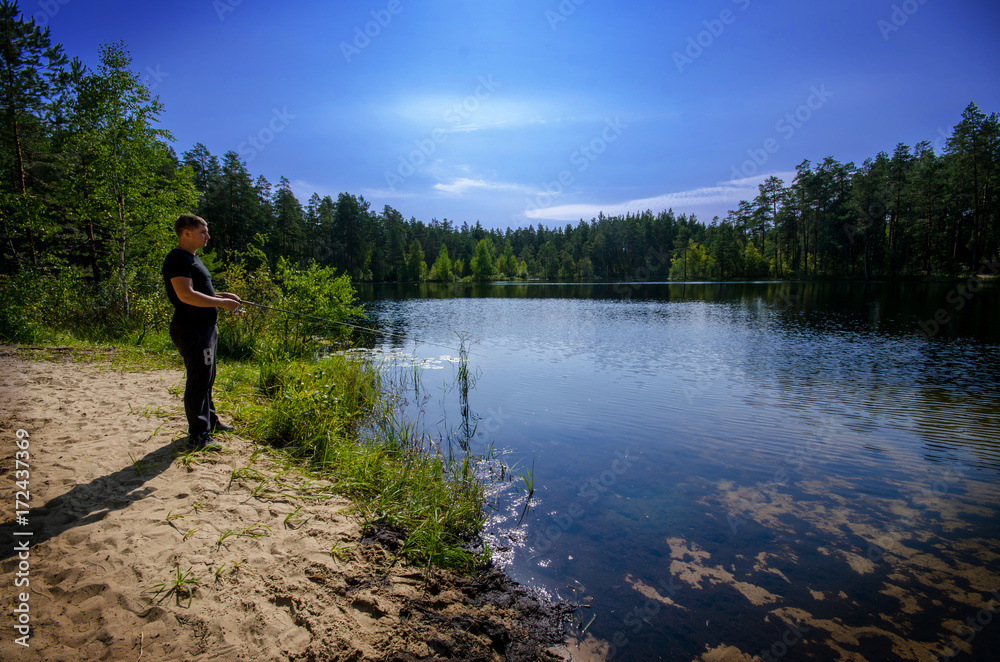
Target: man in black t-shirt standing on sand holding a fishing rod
<point>193,327</point>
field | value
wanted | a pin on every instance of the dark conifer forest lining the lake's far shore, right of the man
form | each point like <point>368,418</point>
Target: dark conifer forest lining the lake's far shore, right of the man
<point>912,213</point>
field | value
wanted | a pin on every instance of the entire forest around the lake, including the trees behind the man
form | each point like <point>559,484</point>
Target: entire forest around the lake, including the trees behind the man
<point>91,183</point>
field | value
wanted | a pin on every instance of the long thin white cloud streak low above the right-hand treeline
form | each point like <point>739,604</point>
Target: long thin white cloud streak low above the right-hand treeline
<point>705,202</point>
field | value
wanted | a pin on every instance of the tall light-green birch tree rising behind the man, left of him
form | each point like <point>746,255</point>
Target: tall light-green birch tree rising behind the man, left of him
<point>123,183</point>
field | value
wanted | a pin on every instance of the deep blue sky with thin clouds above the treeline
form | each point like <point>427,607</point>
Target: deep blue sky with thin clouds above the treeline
<point>533,111</point>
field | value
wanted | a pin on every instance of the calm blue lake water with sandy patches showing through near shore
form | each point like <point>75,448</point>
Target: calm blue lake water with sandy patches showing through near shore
<point>804,470</point>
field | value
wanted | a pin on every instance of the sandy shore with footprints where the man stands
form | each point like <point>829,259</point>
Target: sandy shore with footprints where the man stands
<point>116,513</point>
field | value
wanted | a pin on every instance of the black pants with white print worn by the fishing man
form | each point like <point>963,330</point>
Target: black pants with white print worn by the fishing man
<point>197,347</point>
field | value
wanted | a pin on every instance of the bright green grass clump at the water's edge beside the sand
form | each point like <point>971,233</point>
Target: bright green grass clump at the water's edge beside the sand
<point>337,416</point>
